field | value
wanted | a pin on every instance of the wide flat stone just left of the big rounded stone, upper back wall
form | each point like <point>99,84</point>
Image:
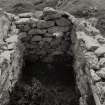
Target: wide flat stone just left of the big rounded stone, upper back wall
<point>45,24</point>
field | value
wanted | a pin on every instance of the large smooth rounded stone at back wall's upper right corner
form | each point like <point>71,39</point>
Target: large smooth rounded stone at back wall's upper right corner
<point>63,22</point>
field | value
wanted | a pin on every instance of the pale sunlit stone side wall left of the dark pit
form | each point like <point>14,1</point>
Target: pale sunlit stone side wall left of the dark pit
<point>10,62</point>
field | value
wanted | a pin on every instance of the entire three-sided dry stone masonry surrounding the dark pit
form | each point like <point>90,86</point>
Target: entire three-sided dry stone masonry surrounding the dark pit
<point>54,33</point>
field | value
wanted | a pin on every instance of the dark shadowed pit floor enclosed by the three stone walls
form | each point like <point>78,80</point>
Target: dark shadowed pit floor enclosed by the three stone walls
<point>46,83</point>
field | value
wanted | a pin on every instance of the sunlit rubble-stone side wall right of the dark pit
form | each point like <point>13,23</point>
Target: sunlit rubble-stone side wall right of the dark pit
<point>91,43</point>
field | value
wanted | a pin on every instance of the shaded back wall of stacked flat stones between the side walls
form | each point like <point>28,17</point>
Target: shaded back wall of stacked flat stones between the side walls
<point>46,37</point>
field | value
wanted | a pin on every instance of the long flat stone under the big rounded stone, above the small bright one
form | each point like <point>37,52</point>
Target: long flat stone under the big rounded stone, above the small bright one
<point>58,29</point>
